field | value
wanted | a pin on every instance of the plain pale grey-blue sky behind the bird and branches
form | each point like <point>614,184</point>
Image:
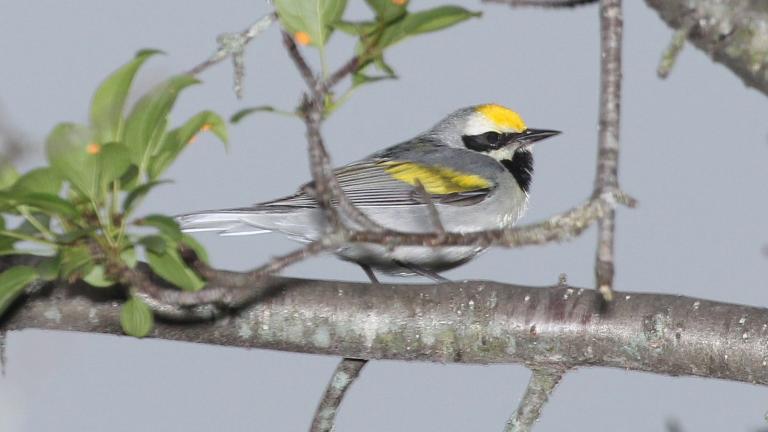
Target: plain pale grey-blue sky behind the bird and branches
<point>694,152</point>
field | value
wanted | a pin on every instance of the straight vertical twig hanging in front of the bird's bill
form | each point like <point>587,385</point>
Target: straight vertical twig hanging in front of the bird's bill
<point>606,177</point>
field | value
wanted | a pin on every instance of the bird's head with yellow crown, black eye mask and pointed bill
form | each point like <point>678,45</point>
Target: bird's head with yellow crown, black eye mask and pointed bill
<point>490,129</point>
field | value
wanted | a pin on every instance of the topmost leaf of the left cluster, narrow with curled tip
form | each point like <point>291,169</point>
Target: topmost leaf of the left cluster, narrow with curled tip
<point>109,100</point>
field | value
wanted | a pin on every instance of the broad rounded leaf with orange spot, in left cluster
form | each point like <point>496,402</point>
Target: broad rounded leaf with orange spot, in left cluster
<point>73,153</point>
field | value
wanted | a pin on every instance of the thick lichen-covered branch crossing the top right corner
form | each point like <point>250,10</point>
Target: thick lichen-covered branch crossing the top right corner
<point>734,33</point>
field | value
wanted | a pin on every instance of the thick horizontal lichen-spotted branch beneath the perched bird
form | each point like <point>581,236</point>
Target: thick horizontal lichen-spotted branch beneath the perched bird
<point>466,322</point>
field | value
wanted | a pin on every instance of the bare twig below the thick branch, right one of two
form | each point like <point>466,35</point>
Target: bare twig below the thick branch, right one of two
<point>541,385</point>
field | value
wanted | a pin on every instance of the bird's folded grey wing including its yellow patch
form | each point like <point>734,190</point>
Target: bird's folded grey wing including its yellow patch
<point>385,182</point>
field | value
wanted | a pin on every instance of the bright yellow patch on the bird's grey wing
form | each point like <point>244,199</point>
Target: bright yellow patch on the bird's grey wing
<point>436,180</point>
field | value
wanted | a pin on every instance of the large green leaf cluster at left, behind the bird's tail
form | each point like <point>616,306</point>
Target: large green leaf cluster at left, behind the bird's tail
<point>78,212</point>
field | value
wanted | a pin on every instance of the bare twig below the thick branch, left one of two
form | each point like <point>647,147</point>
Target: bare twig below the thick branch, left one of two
<point>345,374</point>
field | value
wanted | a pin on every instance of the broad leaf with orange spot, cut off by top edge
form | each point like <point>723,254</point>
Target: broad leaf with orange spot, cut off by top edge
<point>313,17</point>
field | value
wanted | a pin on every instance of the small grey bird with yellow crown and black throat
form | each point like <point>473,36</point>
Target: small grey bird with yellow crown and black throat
<point>475,166</point>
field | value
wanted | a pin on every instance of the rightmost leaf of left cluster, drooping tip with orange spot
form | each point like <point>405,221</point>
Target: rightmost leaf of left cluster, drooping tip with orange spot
<point>175,141</point>
